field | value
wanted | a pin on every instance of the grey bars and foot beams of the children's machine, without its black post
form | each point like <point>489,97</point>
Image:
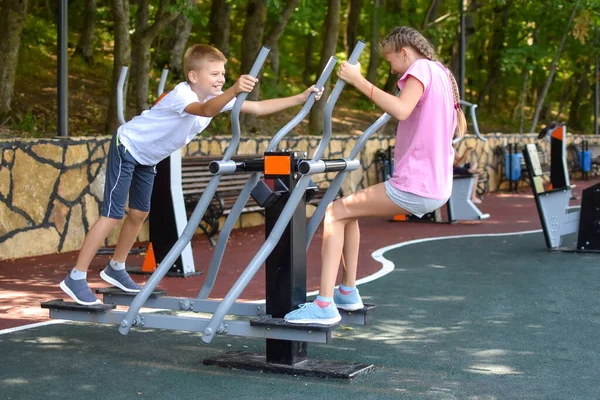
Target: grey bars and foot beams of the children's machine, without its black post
<point>228,306</point>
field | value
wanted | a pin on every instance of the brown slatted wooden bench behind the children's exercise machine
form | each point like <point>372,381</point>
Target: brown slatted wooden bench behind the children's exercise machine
<point>195,175</point>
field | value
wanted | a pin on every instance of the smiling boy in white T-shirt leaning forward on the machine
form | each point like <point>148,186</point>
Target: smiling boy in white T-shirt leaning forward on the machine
<point>149,138</point>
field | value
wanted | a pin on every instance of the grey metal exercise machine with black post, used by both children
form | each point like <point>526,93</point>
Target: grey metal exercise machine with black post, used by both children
<point>287,234</point>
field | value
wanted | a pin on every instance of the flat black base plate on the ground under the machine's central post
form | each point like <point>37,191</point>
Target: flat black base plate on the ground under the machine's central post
<point>314,368</point>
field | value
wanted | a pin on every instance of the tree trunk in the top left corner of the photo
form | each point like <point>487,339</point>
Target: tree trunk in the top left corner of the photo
<point>12,18</point>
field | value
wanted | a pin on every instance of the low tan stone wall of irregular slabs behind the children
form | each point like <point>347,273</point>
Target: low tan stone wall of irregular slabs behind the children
<point>51,189</point>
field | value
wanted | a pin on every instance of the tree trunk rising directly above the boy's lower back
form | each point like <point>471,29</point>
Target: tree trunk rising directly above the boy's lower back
<point>122,54</point>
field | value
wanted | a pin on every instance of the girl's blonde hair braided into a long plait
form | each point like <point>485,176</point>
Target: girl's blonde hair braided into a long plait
<point>404,36</point>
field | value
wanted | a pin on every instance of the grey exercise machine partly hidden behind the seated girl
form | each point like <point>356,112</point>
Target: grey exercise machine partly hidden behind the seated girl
<point>459,207</point>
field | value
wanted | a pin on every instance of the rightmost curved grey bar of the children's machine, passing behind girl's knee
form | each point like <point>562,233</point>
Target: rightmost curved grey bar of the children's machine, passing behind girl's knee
<point>337,182</point>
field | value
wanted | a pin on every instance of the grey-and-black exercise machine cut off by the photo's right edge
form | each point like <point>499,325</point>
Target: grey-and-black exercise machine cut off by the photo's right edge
<point>558,219</point>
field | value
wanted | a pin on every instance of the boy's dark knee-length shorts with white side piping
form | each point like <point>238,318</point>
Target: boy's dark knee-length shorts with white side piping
<point>124,175</point>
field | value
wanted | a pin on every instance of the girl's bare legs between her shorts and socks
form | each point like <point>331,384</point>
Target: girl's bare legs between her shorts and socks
<point>370,202</point>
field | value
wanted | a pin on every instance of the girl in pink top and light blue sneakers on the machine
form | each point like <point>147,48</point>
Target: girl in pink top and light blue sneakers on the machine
<point>428,112</point>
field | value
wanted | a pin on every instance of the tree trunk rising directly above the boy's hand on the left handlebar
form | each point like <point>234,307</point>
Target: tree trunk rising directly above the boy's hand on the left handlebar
<point>252,36</point>
